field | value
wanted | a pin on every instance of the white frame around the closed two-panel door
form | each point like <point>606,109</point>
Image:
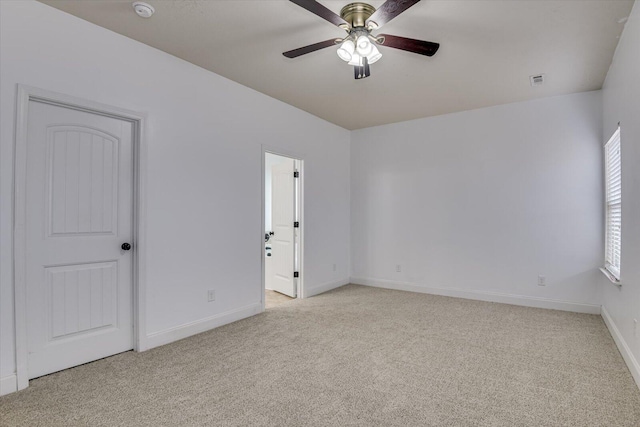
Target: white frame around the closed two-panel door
<point>138,120</point>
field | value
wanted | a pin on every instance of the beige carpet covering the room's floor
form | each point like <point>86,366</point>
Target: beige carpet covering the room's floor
<point>355,356</point>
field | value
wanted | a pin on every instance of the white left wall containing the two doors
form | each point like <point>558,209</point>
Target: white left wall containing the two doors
<point>204,220</point>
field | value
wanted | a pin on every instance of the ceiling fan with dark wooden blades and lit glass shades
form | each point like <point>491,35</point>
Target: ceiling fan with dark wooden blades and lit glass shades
<point>358,48</point>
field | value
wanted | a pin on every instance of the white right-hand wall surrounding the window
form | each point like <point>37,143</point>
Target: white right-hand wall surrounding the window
<point>621,100</point>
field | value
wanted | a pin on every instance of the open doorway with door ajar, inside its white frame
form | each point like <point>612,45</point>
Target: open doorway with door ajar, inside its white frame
<point>282,229</point>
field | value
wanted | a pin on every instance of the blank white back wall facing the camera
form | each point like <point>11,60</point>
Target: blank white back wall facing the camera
<point>479,203</point>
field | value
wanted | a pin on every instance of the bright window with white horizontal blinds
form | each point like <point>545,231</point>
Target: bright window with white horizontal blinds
<point>613,190</point>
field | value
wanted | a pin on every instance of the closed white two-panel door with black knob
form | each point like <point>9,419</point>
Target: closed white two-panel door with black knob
<point>79,198</point>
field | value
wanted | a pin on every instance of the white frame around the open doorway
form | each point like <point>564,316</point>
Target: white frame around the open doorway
<point>300,293</point>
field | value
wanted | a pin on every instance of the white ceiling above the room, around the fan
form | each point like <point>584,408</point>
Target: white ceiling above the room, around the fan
<point>488,51</point>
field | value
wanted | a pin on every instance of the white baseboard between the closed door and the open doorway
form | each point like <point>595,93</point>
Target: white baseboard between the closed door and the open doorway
<point>176,333</point>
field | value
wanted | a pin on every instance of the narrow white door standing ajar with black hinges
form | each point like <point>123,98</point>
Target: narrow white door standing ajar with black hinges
<point>282,217</point>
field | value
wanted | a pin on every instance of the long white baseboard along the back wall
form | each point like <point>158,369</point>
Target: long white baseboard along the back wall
<point>522,300</point>
